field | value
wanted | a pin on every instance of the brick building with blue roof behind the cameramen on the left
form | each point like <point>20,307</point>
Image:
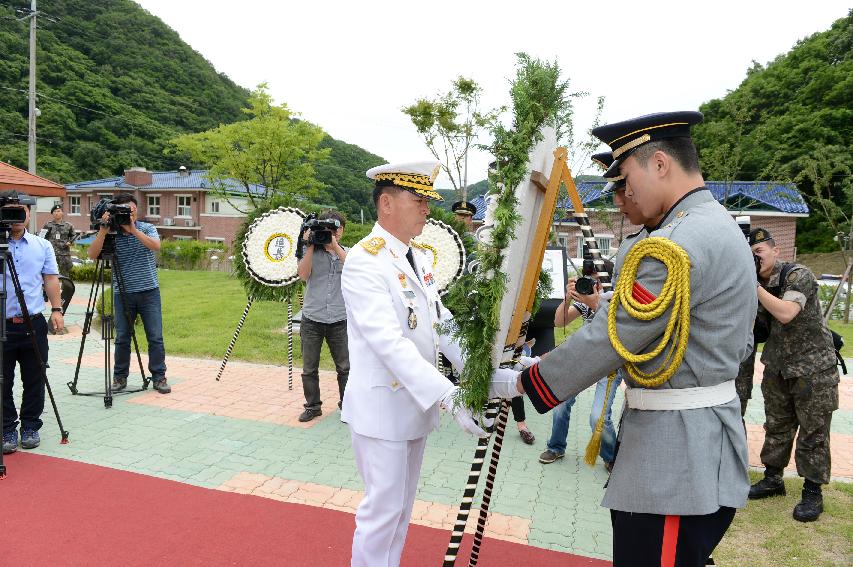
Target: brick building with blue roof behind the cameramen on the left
<point>179,203</point>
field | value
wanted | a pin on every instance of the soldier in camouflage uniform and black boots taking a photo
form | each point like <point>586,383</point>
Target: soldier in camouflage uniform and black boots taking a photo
<point>800,384</point>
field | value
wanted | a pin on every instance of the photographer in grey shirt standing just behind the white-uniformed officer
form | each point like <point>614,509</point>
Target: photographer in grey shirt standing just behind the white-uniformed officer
<point>324,315</point>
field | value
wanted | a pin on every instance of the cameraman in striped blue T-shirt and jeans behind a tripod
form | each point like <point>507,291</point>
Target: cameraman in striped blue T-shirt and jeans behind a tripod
<point>135,244</point>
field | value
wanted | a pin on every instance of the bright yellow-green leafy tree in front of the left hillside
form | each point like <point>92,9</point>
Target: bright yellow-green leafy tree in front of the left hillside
<point>272,149</point>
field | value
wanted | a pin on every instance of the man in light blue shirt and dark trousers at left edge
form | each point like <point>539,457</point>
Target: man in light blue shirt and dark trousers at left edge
<point>35,264</point>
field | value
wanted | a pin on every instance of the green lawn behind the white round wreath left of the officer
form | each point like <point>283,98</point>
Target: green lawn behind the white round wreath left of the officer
<point>201,311</point>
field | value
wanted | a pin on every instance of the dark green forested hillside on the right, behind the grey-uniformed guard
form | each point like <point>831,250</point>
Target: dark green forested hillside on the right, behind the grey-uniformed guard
<point>789,115</point>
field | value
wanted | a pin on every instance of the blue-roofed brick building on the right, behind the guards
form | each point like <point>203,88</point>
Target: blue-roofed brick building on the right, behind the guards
<point>774,206</point>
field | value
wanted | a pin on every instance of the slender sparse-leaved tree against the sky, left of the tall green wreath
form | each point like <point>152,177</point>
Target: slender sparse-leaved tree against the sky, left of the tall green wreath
<point>449,124</point>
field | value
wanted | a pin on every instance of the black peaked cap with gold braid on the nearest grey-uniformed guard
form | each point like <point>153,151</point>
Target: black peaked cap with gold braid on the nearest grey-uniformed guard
<point>624,137</point>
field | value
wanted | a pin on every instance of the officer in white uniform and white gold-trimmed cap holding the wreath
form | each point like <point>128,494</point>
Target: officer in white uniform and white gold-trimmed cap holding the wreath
<point>394,392</point>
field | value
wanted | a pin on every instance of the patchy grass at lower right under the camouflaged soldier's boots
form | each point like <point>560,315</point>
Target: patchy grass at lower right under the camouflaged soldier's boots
<point>764,534</point>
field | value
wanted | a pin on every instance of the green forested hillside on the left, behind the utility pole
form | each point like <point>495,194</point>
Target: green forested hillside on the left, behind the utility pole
<point>114,84</point>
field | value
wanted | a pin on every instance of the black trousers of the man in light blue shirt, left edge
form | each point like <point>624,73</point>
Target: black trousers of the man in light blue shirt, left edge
<point>19,350</point>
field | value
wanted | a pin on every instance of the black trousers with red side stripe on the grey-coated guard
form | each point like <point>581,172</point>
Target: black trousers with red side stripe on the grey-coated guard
<point>653,540</point>
